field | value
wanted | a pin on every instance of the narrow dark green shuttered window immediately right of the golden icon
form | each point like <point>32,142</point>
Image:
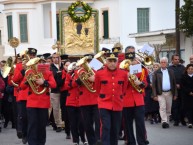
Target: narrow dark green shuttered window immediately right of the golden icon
<point>105,24</point>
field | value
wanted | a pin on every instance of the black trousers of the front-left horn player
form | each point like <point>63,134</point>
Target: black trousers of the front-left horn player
<point>37,120</point>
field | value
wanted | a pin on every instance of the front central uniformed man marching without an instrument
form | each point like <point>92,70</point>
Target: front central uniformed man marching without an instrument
<point>111,83</point>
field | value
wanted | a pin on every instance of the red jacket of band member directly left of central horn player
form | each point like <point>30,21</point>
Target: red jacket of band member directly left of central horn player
<point>73,91</point>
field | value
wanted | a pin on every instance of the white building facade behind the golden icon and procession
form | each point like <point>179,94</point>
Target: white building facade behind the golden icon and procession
<point>130,22</point>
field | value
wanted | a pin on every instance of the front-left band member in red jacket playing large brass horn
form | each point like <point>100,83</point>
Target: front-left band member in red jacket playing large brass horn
<point>37,103</point>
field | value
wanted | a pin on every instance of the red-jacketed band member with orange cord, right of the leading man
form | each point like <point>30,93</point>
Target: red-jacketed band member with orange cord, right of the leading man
<point>134,105</point>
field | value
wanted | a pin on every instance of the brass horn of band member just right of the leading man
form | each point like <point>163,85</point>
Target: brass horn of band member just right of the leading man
<point>132,78</point>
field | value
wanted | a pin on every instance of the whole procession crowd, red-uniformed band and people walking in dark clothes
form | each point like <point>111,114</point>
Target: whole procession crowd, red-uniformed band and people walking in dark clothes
<point>95,107</point>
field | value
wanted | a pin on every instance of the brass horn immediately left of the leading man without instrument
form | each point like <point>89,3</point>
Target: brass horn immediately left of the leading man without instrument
<point>84,73</point>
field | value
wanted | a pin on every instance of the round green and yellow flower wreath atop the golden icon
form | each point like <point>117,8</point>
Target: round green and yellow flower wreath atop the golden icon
<point>79,19</point>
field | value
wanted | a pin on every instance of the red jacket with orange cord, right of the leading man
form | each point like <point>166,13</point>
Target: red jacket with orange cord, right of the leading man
<point>134,98</point>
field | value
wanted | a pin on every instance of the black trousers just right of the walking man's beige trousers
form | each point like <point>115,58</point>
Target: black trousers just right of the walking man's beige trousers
<point>64,112</point>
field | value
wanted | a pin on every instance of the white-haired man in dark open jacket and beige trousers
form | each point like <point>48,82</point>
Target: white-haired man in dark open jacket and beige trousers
<point>164,90</point>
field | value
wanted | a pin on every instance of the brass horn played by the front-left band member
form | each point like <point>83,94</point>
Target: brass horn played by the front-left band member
<point>31,77</point>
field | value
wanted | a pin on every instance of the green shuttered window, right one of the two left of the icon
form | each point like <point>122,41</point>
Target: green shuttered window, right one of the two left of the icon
<point>23,28</point>
